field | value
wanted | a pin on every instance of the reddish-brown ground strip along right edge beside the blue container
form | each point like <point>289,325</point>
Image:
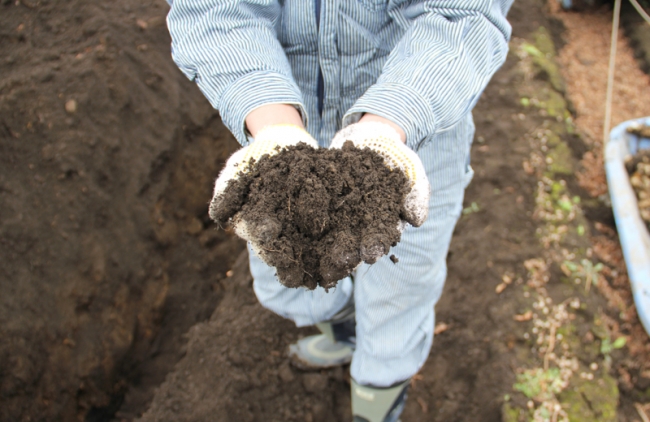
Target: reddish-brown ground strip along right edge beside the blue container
<point>584,63</point>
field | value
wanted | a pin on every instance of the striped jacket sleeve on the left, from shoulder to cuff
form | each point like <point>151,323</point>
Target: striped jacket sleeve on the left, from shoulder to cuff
<point>230,49</point>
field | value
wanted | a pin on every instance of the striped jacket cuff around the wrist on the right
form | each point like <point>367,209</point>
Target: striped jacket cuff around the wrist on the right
<point>401,105</point>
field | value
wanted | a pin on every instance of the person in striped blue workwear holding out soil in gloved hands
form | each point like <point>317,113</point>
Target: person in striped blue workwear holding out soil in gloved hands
<point>379,71</point>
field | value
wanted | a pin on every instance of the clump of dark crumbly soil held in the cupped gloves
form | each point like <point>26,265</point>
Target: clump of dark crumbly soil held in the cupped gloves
<point>315,214</point>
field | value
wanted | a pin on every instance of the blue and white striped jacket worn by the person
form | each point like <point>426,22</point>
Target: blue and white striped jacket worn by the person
<point>421,64</point>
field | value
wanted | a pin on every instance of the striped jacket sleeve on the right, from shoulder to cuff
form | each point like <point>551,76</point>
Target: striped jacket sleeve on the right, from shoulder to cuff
<point>437,71</point>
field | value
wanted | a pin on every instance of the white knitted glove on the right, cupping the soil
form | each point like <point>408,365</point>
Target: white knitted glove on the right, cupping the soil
<point>384,140</point>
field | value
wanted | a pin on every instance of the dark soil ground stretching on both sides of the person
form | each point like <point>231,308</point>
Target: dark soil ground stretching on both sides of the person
<point>113,279</point>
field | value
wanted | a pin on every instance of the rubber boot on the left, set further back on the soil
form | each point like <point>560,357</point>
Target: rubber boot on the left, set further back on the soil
<point>334,347</point>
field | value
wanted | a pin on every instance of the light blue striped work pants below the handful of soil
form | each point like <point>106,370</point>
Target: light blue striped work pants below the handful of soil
<point>394,302</point>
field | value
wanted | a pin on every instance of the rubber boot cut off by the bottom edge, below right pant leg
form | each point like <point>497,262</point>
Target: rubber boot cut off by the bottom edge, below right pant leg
<point>374,404</point>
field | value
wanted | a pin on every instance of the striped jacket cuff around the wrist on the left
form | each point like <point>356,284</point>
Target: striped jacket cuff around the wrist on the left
<point>249,92</point>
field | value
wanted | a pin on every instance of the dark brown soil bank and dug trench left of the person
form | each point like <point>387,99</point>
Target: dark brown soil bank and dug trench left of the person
<point>107,256</point>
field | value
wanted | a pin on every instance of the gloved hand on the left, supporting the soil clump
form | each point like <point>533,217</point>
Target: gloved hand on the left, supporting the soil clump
<point>269,141</point>
